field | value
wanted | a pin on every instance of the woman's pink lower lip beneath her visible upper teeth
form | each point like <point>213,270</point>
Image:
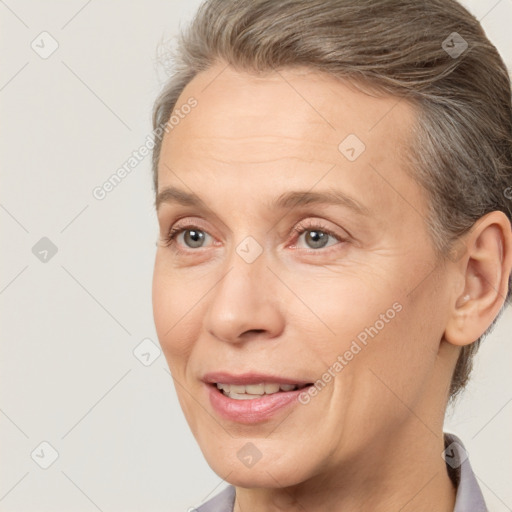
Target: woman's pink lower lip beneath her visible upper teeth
<point>254,410</point>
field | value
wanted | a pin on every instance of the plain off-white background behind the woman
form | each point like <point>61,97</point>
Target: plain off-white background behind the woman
<point>72,320</point>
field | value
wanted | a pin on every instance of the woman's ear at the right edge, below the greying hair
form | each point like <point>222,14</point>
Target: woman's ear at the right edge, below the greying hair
<point>484,265</point>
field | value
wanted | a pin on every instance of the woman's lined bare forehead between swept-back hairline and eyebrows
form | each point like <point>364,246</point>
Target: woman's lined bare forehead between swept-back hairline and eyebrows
<point>253,129</point>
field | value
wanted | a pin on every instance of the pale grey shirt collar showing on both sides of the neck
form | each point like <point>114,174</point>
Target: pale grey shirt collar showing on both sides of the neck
<point>469,497</point>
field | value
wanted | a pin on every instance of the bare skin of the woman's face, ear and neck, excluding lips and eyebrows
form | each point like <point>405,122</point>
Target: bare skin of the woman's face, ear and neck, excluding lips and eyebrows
<point>372,439</point>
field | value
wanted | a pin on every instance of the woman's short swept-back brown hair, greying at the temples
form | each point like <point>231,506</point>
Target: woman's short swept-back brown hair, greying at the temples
<point>461,141</point>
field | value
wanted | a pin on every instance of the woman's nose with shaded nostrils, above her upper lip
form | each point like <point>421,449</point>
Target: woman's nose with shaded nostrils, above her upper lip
<point>244,303</point>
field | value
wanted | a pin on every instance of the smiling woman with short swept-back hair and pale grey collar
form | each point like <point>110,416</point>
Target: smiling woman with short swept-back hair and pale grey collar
<point>330,183</point>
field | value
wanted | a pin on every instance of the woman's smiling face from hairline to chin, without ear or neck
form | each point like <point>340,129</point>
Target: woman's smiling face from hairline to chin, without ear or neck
<point>253,283</point>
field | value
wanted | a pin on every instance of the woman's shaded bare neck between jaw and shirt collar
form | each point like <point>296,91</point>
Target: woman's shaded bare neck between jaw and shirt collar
<point>404,473</point>
